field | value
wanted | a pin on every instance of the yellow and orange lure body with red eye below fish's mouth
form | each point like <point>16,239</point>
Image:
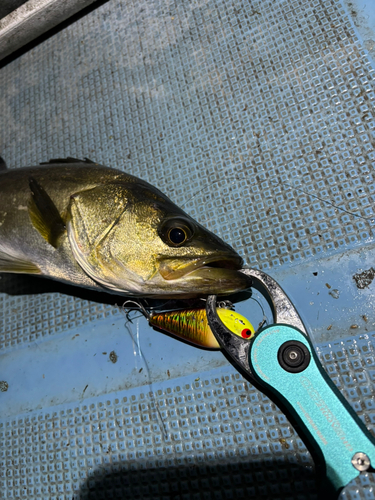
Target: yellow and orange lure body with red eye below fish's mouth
<point>192,325</point>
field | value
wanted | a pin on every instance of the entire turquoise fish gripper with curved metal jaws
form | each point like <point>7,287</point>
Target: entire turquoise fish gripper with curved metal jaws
<point>281,361</point>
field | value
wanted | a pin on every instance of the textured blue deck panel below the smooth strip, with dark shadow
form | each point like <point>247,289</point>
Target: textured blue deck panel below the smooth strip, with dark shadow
<point>208,436</point>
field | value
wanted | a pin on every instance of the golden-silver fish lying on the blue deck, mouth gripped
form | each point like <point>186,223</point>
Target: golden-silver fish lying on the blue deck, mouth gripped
<point>85,224</point>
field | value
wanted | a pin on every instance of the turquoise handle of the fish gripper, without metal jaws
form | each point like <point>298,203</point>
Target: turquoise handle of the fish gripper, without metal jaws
<point>324,419</point>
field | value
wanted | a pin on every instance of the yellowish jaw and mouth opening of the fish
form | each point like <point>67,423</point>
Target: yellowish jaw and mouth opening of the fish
<point>172,269</point>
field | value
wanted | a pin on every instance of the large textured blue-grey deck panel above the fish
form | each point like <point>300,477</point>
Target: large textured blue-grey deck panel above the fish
<point>244,113</point>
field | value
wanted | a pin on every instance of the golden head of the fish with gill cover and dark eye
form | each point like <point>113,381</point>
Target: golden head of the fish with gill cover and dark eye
<point>133,240</point>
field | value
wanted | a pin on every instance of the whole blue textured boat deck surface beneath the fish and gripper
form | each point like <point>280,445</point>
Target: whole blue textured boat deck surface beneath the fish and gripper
<point>258,119</point>
